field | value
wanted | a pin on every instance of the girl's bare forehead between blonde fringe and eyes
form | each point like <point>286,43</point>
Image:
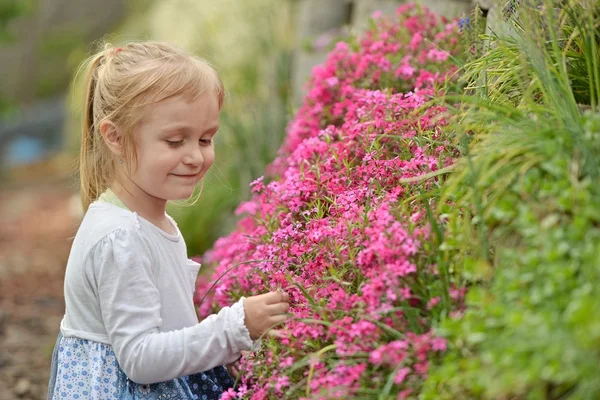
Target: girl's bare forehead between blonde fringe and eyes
<point>199,113</point>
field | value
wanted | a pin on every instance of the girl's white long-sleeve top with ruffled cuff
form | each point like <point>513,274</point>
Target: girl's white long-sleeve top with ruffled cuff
<point>130,284</point>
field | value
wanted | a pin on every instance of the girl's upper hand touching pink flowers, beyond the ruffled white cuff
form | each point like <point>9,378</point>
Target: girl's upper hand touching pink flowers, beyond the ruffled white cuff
<point>264,311</point>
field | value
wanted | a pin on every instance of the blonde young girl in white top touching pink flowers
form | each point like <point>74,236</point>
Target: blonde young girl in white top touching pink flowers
<point>130,330</point>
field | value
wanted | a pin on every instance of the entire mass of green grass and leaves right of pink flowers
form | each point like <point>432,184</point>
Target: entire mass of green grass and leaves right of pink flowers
<point>524,234</point>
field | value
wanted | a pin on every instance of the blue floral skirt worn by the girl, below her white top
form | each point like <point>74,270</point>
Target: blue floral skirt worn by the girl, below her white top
<point>84,369</point>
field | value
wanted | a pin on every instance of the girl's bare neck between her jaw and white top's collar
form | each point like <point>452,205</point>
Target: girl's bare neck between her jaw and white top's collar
<point>137,200</point>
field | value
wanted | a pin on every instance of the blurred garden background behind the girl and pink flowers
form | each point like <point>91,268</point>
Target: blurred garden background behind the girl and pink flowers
<point>264,51</point>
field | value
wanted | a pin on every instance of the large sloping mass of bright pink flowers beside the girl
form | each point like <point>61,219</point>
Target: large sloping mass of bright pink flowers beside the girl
<point>340,224</point>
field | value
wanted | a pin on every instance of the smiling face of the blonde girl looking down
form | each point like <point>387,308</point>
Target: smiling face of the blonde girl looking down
<point>174,146</point>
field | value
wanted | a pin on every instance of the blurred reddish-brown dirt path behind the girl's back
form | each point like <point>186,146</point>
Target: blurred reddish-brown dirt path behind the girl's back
<point>35,226</point>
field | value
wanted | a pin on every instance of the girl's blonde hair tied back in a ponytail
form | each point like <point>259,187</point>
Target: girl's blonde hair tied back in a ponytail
<point>119,83</point>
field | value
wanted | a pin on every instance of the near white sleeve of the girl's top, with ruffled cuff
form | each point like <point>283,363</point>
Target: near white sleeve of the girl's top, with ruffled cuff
<point>130,304</point>
